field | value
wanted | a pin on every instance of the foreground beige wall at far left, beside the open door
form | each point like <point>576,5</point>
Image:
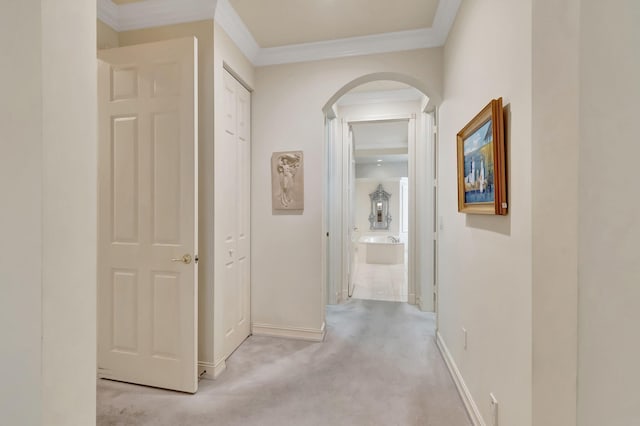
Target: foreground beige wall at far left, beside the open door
<point>48,249</point>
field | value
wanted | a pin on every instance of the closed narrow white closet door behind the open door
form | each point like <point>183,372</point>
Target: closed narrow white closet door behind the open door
<point>232,218</point>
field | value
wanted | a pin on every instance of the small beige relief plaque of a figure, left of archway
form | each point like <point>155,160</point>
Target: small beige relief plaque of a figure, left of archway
<point>287,180</point>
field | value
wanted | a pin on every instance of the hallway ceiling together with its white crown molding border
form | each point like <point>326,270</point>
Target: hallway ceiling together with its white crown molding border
<point>285,31</point>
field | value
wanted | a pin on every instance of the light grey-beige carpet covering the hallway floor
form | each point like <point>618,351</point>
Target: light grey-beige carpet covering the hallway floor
<point>379,365</point>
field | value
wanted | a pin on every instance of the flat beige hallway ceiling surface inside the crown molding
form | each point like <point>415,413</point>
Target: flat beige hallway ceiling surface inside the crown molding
<point>284,22</point>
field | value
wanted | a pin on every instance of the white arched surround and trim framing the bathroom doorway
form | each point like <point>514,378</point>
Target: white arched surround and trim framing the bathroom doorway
<point>338,222</point>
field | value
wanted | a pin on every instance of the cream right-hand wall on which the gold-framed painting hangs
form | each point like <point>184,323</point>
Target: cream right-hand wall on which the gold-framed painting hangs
<point>485,261</point>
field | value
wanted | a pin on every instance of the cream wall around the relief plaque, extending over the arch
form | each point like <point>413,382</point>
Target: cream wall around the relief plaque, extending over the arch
<point>287,288</point>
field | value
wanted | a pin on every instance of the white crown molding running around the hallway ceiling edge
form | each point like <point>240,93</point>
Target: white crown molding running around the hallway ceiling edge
<point>154,13</point>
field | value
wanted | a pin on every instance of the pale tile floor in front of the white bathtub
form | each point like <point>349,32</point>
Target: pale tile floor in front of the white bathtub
<point>380,282</point>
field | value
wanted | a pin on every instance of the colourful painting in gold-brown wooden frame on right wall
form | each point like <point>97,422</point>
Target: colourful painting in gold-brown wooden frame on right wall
<point>482,186</point>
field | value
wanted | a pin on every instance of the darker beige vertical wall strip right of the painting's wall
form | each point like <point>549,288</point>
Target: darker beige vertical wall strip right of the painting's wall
<point>555,211</point>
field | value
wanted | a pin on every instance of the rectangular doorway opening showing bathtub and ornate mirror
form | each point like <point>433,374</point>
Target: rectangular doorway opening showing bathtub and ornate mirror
<point>379,207</point>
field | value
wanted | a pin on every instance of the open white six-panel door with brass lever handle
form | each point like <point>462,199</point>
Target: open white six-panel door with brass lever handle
<point>147,276</point>
